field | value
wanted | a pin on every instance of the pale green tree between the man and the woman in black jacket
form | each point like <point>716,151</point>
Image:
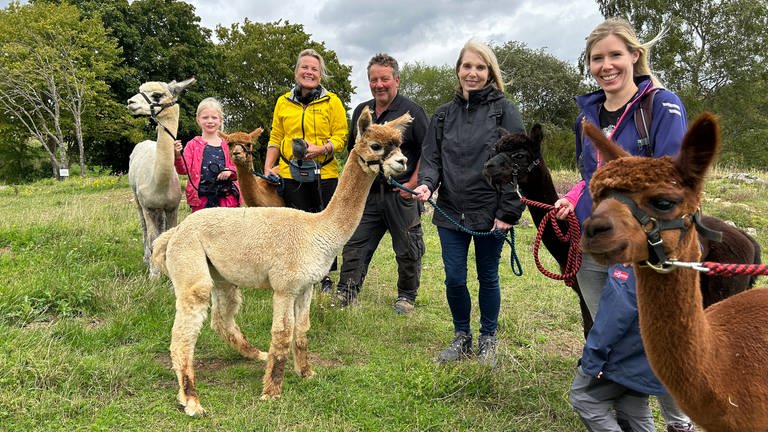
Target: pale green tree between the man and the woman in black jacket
<point>428,86</point>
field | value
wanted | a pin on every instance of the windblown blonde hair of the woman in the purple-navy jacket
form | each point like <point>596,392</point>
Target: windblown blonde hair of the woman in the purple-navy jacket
<point>622,29</point>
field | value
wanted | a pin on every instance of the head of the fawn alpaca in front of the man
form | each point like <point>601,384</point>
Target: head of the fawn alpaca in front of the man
<point>378,145</point>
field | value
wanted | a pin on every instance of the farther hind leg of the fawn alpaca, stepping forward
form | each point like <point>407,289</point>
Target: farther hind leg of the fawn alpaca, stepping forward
<point>226,301</point>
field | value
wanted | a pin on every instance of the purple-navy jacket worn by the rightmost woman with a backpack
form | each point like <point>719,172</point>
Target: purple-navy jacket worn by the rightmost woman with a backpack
<point>666,131</point>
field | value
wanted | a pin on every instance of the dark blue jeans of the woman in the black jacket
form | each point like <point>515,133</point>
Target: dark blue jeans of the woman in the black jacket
<point>455,248</point>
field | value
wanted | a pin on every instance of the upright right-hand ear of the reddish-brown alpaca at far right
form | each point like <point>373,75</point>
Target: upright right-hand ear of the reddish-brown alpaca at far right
<point>699,149</point>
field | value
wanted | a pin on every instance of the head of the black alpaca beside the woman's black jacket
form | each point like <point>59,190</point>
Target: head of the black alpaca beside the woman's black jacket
<point>516,154</point>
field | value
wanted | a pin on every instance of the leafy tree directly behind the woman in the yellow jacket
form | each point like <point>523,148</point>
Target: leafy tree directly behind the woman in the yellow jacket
<point>257,65</point>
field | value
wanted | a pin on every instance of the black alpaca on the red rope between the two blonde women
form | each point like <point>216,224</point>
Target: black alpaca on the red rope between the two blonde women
<point>518,160</point>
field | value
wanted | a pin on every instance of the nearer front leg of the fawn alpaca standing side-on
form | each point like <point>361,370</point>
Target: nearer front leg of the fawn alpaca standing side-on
<point>282,326</point>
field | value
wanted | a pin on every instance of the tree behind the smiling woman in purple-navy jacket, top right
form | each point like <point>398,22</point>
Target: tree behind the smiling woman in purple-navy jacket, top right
<point>713,56</point>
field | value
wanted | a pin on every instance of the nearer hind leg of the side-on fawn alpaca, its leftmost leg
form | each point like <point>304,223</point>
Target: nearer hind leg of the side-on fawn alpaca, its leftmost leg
<point>191,311</point>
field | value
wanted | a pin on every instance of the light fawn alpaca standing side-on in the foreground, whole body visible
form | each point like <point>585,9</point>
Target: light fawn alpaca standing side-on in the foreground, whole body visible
<point>214,251</point>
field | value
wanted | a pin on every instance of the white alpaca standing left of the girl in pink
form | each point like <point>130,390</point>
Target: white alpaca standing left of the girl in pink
<point>151,173</point>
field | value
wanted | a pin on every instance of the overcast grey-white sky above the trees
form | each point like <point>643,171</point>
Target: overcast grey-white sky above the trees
<point>427,31</point>
